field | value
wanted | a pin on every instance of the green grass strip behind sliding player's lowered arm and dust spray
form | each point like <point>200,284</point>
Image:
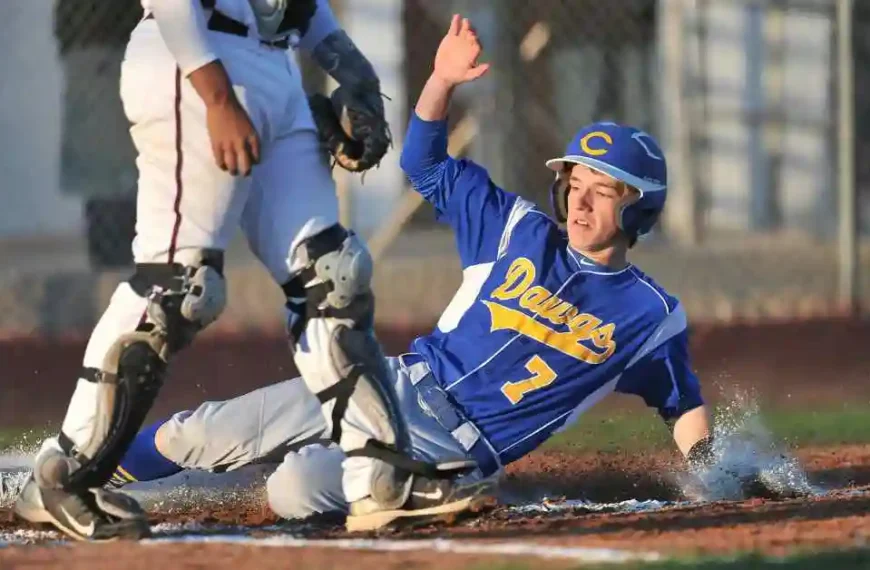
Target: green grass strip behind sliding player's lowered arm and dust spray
<point>634,431</point>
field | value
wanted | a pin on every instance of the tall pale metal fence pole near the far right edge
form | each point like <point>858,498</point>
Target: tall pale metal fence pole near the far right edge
<point>848,247</point>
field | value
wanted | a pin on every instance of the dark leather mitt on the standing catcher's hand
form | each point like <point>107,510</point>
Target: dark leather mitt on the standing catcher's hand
<point>352,127</point>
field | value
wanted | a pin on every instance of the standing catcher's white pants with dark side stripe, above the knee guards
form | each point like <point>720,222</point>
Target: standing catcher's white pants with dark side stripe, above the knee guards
<point>185,201</point>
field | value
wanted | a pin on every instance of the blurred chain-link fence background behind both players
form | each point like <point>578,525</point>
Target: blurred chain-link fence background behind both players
<point>742,94</point>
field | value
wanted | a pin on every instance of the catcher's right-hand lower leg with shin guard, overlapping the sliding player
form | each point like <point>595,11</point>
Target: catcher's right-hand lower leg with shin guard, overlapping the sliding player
<point>335,349</point>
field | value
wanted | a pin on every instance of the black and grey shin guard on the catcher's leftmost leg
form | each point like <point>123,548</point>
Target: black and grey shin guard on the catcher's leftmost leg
<point>182,300</point>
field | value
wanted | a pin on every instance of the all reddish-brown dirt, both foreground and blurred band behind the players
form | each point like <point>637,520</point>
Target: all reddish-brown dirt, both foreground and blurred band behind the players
<point>795,365</point>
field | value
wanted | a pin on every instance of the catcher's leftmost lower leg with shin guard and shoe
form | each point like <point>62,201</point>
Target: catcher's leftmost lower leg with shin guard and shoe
<point>113,397</point>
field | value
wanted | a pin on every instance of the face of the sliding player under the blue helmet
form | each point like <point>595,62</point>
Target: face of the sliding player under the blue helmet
<point>594,201</point>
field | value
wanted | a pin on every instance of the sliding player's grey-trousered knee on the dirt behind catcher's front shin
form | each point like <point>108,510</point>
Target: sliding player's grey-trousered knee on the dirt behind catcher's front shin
<point>308,483</point>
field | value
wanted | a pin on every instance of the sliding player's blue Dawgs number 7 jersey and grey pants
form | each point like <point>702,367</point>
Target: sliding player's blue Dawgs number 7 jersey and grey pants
<point>536,335</point>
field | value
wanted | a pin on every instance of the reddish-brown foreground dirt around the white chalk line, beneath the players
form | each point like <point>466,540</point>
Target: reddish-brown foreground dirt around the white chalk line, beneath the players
<point>834,519</point>
